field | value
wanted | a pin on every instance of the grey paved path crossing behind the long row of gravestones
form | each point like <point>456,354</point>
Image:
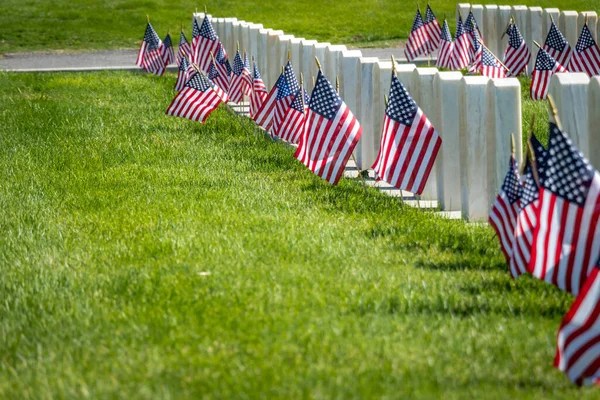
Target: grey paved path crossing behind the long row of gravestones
<point>119,59</point>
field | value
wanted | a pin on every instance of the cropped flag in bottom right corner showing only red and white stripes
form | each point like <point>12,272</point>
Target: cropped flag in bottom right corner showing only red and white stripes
<point>578,339</point>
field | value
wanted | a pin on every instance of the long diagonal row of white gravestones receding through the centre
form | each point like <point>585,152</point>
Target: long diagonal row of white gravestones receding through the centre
<point>474,115</point>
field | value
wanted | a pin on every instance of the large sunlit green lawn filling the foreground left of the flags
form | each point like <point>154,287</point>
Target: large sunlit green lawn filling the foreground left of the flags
<point>144,256</point>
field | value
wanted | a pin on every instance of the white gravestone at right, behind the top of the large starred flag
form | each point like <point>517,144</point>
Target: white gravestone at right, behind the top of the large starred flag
<point>569,91</point>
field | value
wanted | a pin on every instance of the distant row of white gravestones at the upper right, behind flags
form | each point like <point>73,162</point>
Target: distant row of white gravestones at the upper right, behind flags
<point>533,22</point>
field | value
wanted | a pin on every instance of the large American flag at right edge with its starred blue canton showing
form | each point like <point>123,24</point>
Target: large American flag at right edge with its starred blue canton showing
<point>566,240</point>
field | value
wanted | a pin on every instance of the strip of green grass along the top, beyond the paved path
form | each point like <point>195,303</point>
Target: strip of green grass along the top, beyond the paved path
<point>114,24</point>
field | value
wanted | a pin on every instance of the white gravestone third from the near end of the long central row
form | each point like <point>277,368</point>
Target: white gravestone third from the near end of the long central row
<point>446,92</point>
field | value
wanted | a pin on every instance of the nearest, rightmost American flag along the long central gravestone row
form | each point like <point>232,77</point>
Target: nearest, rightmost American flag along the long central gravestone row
<point>409,143</point>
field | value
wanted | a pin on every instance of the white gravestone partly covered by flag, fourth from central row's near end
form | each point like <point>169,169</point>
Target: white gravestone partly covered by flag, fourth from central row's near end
<point>422,93</point>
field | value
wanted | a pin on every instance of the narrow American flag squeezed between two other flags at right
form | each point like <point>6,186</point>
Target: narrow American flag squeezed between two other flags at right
<point>527,220</point>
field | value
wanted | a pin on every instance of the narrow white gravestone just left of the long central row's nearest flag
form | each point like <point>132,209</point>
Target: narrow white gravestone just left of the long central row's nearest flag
<point>366,152</point>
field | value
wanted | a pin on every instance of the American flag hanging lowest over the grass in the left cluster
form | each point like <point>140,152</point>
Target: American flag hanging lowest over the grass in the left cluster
<point>197,100</point>
